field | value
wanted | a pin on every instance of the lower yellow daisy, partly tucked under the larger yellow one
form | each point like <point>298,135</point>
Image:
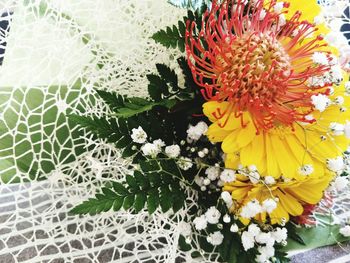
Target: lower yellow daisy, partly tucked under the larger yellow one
<point>291,196</point>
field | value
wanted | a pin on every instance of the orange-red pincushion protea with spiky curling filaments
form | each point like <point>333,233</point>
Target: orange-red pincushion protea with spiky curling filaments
<point>259,62</point>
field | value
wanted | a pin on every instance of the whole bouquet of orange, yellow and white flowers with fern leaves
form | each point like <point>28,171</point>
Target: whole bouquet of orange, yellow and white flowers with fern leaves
<point>248,135</point>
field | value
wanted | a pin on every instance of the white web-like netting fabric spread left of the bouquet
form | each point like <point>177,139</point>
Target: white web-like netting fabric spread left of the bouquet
<point>49,69</point>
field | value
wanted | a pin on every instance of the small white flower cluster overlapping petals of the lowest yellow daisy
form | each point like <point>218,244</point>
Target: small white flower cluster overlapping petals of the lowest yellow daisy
<point>252,208</point>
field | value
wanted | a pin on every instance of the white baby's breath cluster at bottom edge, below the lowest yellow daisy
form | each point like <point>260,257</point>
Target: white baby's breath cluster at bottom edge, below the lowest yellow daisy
<point>264,240</point>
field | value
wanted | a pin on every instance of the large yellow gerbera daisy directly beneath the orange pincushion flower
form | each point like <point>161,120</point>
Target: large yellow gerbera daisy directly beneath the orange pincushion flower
<point>280,151</point>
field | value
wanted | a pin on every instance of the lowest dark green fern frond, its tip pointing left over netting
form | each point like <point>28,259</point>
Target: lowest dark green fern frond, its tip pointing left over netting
<point>152,188</point>
